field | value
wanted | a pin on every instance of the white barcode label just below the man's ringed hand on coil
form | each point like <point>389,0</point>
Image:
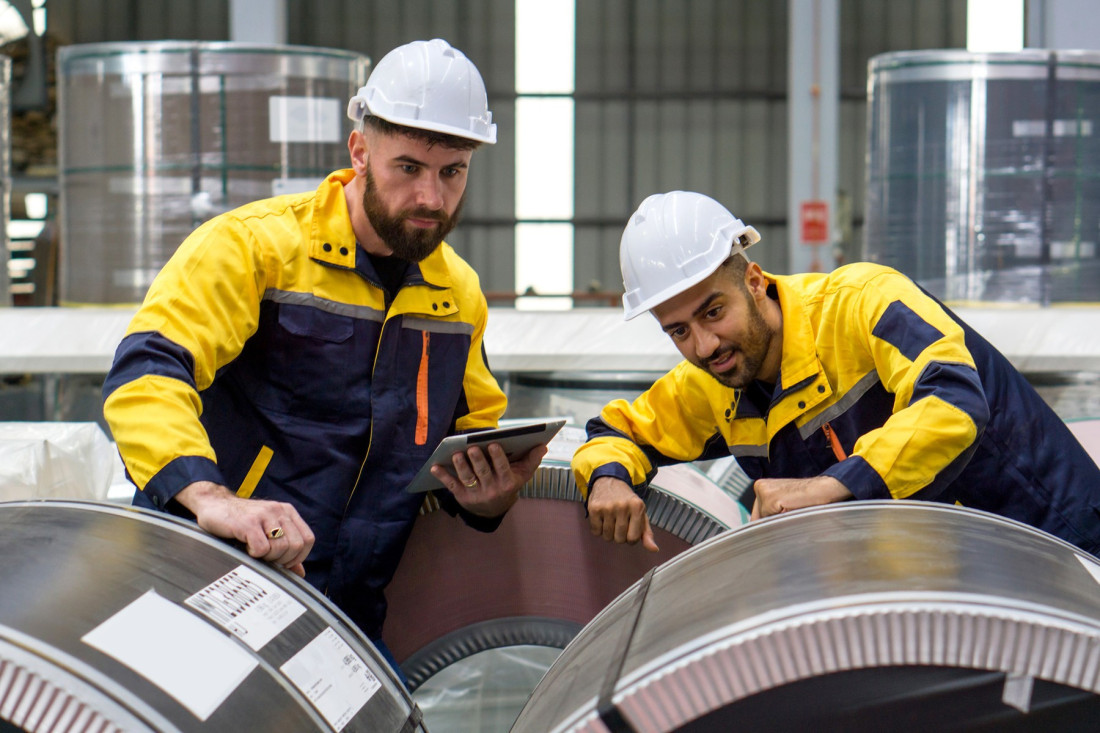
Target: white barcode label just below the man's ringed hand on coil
<point>248,606</point>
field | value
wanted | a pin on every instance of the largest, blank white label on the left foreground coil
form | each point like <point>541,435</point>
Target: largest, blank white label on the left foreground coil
<point>177,651</point>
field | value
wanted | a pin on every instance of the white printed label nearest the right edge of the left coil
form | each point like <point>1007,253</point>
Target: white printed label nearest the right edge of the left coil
<point>334,677</point>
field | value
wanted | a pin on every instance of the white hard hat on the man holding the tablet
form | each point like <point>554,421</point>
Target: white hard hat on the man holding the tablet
<point>431,86</point>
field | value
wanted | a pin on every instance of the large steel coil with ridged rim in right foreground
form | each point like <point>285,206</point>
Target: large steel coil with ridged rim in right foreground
<point>857,617</point>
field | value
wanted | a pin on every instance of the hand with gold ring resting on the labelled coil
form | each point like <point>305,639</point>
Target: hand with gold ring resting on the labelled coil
<point>270,531</point>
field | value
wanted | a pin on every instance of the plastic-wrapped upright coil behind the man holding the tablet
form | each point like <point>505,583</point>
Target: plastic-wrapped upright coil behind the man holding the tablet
<point>159,137</point>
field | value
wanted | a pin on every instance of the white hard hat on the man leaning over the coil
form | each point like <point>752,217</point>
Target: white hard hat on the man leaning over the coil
<point>674,242</point>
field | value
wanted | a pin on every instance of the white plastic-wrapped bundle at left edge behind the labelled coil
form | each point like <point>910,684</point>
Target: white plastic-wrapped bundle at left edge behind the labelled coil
<point>54,461</point>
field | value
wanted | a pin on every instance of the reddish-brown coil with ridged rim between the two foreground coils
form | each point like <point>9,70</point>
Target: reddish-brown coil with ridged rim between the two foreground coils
<point>542,576</point>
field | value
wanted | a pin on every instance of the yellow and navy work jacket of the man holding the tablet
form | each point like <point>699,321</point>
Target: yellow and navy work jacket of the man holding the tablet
<point>265,359</point>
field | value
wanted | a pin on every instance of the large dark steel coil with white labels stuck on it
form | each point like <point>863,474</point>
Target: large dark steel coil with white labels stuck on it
<point>125,620</point>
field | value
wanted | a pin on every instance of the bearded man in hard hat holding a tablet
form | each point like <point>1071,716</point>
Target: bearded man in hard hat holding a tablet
<point>298,360</point>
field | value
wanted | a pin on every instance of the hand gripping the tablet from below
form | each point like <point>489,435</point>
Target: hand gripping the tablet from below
<point>489,486</point>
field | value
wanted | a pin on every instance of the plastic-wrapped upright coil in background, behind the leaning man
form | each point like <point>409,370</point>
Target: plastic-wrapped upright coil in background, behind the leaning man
<point>983,173</point>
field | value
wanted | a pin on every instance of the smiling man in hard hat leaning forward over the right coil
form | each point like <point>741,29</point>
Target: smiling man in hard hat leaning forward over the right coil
<point>826,387</point>
